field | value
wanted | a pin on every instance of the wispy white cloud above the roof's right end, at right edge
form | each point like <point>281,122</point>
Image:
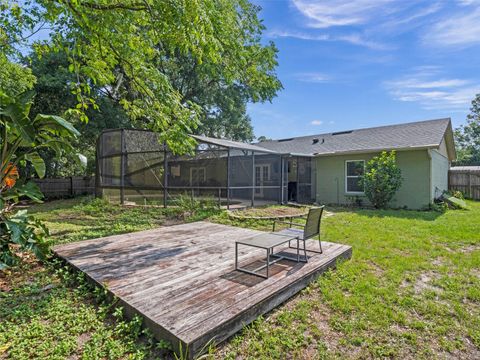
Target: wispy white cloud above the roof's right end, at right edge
<point>432,91</point>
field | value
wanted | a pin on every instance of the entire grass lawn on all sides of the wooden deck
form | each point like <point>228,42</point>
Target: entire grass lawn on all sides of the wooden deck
<point>411,290</point>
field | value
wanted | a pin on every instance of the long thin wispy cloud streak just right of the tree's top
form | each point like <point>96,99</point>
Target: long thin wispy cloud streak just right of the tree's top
<point>355,39</point>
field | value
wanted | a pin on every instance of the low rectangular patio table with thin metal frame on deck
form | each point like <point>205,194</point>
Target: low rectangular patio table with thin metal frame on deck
<point>268,242</point>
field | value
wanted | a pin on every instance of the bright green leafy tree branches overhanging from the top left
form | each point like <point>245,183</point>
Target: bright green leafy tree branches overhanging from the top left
<point>124,47</point>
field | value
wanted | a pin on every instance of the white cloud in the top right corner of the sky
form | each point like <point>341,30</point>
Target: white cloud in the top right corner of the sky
<point>459,29</point>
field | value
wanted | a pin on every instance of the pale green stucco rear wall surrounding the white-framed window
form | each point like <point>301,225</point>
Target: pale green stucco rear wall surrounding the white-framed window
<point>415,192</point>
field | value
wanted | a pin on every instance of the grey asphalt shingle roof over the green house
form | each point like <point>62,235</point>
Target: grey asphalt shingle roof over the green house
<point>422,134</point>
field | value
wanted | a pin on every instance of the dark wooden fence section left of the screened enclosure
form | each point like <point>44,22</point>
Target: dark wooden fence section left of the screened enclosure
<point>66,187</point>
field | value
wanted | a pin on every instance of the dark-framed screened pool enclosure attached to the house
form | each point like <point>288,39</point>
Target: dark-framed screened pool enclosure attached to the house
<point>133,167</point>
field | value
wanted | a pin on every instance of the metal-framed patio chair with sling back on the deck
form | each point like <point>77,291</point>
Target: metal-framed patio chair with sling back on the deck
<point>309,230</point>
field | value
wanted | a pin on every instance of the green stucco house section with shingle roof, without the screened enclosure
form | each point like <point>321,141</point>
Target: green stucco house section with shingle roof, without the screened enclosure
<point>424,152</point>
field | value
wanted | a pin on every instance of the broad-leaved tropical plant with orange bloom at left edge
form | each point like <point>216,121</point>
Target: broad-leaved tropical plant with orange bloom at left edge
<point>21,139</point>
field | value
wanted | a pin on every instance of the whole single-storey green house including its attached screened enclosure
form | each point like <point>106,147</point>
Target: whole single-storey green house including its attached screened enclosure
<point>323,168</point>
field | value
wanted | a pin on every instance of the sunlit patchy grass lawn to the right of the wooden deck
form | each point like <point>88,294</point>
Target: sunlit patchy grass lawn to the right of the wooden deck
<point>411,290</point>
